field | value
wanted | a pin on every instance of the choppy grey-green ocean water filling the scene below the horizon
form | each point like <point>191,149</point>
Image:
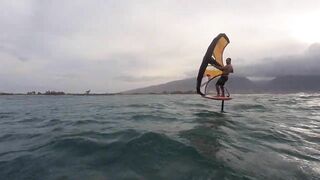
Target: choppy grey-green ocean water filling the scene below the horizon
<point>262,136</point>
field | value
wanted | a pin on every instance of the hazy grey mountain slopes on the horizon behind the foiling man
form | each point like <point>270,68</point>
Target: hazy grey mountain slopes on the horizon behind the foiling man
<point>238,84</point>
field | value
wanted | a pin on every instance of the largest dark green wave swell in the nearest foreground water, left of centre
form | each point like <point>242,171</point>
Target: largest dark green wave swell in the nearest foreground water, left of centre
<point>141,155</point>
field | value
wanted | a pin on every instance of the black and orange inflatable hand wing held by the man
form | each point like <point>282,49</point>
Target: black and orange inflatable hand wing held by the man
<point>214,56</point>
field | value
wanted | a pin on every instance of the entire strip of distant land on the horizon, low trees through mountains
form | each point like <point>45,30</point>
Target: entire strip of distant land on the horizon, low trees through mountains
<point>236,85</point>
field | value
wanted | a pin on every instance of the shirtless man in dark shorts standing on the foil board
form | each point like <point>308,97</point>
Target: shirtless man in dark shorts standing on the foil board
<point>226,70</point>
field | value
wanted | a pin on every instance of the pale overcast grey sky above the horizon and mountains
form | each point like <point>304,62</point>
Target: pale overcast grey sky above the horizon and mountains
<point>117,45</point>
